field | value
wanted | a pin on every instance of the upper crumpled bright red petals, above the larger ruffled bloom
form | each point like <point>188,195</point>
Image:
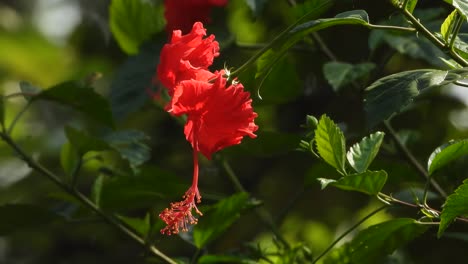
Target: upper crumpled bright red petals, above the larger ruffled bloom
<point>187,57</point>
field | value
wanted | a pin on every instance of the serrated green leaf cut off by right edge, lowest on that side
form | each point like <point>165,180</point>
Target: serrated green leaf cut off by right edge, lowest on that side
<point>455,205</point>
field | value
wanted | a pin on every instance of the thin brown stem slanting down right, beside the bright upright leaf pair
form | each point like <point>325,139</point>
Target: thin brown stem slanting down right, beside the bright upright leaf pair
<point>412,160</point>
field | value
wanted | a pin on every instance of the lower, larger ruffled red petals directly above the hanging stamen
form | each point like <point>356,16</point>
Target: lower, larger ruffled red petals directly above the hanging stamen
<point>217,117</point>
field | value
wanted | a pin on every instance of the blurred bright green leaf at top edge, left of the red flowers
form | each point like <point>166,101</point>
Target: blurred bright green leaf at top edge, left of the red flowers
<point>134,21</point>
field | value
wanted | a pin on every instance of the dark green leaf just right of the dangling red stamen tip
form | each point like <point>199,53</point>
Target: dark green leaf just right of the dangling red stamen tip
<point>218,218</point>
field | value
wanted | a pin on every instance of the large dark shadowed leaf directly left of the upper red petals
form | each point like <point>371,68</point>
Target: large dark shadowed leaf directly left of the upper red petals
<point>130,87</point>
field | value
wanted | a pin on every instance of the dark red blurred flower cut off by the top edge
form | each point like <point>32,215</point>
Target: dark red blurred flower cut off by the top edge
<point>181,14</point>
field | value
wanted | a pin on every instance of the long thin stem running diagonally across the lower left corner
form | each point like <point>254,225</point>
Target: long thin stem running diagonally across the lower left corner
<point>80,197</point>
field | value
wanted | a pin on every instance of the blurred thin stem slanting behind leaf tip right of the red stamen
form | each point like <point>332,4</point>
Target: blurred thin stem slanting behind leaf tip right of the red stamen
<point>263,214</point>
